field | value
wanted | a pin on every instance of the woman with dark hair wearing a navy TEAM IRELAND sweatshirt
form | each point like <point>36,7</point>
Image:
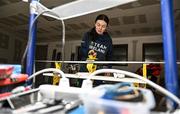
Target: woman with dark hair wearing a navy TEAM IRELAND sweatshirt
<point>97,40</point>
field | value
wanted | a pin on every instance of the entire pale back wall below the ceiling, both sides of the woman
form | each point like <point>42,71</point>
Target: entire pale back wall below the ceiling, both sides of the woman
<point>134,48</point>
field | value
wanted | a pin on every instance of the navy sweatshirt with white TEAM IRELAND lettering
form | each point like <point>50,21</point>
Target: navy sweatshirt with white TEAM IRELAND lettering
<point>101,44</point>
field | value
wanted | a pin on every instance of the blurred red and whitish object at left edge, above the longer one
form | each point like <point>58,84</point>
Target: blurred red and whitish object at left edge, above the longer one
<point>5,71</point>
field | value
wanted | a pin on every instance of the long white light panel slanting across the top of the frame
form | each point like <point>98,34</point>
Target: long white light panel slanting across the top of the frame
<point>83,7</point>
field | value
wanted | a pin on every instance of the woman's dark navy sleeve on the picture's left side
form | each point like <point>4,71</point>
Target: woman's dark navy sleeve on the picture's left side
<point>84,47</point>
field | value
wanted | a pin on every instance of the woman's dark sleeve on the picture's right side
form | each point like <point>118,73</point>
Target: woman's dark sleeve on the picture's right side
<point>109,53</point>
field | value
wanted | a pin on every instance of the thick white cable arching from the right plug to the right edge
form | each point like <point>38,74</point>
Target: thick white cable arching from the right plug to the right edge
<point>159,88</point>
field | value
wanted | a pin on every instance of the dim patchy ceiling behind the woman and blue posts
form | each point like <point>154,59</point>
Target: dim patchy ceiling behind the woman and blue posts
<point>134,19</point>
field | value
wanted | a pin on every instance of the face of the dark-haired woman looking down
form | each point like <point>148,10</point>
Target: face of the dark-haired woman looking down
<point>100,26</point>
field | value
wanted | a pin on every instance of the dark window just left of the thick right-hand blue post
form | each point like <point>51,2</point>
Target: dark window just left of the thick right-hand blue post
<point>153,52</point>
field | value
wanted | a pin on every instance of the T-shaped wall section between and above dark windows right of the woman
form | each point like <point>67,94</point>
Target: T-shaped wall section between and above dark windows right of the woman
<point>135,48</point>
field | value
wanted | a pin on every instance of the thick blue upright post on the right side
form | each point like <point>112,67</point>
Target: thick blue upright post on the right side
<point>171,78</point>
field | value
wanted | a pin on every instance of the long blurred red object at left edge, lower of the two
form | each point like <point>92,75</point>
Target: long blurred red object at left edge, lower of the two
<point>17,79</point>
